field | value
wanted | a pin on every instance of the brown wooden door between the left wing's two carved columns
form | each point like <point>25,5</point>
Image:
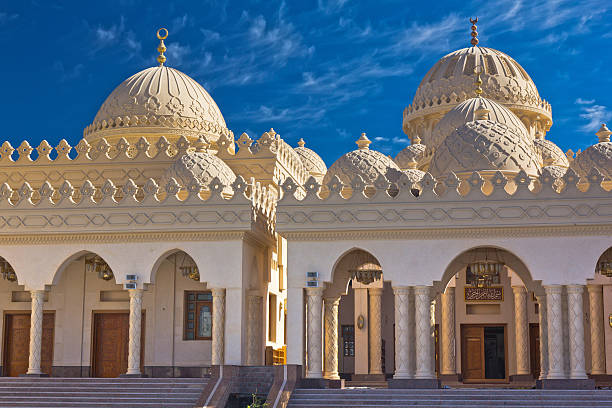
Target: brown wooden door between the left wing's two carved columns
<point>110,344</point>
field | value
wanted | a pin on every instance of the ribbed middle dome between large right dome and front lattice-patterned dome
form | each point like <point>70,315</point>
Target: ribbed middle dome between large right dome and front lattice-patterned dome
<point>466,112</point>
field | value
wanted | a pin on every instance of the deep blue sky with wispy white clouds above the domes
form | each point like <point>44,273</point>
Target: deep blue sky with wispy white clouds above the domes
<point>323,70</point>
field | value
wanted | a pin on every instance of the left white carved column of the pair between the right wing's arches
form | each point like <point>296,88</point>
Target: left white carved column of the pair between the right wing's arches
<point>404,333</point>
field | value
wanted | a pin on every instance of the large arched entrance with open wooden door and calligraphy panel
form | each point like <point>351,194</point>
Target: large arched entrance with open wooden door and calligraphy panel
<point>489,311</point>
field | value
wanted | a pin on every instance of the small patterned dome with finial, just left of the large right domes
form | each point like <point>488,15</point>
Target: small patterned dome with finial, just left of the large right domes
<point>369,164</point>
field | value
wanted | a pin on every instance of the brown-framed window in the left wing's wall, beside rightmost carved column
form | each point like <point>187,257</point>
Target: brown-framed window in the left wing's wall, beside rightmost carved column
<point>198,316</point>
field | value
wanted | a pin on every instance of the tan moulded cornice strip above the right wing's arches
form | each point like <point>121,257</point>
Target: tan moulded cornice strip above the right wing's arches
<point>452,233</point>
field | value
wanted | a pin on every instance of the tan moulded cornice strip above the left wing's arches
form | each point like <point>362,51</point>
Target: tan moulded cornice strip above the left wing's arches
<point>107,238</point>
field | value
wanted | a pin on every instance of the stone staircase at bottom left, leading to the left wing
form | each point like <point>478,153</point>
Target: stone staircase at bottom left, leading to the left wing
<point>101,392</point>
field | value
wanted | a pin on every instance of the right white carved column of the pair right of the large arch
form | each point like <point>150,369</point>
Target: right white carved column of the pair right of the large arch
<point>575,320</point>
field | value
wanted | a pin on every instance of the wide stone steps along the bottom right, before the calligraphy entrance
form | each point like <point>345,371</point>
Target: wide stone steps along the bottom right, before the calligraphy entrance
<point>473,398</point>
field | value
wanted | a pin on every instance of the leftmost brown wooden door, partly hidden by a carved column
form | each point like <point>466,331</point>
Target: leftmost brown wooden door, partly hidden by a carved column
<point>17,343</point>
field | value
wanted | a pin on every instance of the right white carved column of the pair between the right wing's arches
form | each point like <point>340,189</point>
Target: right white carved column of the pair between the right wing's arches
<point>424,332</point>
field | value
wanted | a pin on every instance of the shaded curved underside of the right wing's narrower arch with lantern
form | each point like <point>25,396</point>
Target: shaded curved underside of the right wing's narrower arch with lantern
<point>349,260</point>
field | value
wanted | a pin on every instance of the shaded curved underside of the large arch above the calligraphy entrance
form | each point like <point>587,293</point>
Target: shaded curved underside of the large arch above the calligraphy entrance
<point>511,260</point>
